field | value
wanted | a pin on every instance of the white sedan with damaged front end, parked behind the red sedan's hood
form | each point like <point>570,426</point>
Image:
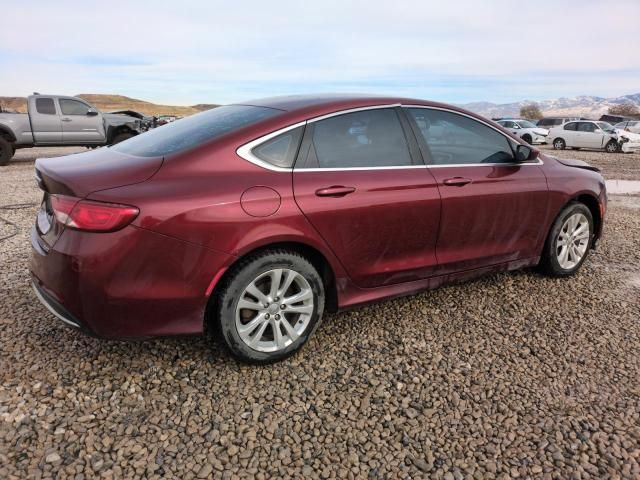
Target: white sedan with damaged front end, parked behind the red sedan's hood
<point>585,134</point>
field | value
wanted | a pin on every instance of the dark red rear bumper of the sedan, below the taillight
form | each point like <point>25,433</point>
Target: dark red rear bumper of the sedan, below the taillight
<point>128,284</point>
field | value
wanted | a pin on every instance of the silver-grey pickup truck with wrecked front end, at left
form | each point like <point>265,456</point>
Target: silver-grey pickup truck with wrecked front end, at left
<point>56,120</point>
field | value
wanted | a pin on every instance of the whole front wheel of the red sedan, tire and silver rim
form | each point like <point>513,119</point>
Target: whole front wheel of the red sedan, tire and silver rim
<point>568,242</point>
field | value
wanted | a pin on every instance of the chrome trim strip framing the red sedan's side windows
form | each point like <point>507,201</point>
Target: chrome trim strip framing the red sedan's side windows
<point>245,151</point>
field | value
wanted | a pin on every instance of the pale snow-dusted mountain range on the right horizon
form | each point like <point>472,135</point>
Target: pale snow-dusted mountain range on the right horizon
<point>583,106</point>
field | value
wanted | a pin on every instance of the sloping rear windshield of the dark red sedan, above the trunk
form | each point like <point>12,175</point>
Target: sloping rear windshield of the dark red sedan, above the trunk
<point>192,131</point>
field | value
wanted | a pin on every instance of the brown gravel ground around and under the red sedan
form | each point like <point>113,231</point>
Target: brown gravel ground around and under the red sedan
<point>512,376</point>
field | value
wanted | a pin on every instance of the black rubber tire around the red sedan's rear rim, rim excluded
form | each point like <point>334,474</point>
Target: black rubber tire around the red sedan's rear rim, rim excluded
<point>233,287</point>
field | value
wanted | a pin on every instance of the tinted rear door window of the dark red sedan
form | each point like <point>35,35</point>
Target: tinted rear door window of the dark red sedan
<point>365,139</point>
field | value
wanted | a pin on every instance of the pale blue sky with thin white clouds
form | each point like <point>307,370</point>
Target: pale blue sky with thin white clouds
<point>220,52</point>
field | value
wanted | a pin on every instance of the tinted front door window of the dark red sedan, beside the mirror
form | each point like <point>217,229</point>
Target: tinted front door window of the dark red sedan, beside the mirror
<point>456,139</point>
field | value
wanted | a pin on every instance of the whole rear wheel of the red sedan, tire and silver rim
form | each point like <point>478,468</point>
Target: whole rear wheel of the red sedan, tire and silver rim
<point>269,306</point>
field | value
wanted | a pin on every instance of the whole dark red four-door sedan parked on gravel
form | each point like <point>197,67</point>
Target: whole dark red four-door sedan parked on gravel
<point>253,219</point>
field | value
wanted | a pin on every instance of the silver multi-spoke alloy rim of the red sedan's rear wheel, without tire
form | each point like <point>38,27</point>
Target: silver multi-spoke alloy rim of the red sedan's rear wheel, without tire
<point>274,310</point>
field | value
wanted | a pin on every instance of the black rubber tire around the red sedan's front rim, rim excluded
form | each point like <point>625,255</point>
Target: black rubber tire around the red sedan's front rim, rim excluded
<point>549,263</point>
